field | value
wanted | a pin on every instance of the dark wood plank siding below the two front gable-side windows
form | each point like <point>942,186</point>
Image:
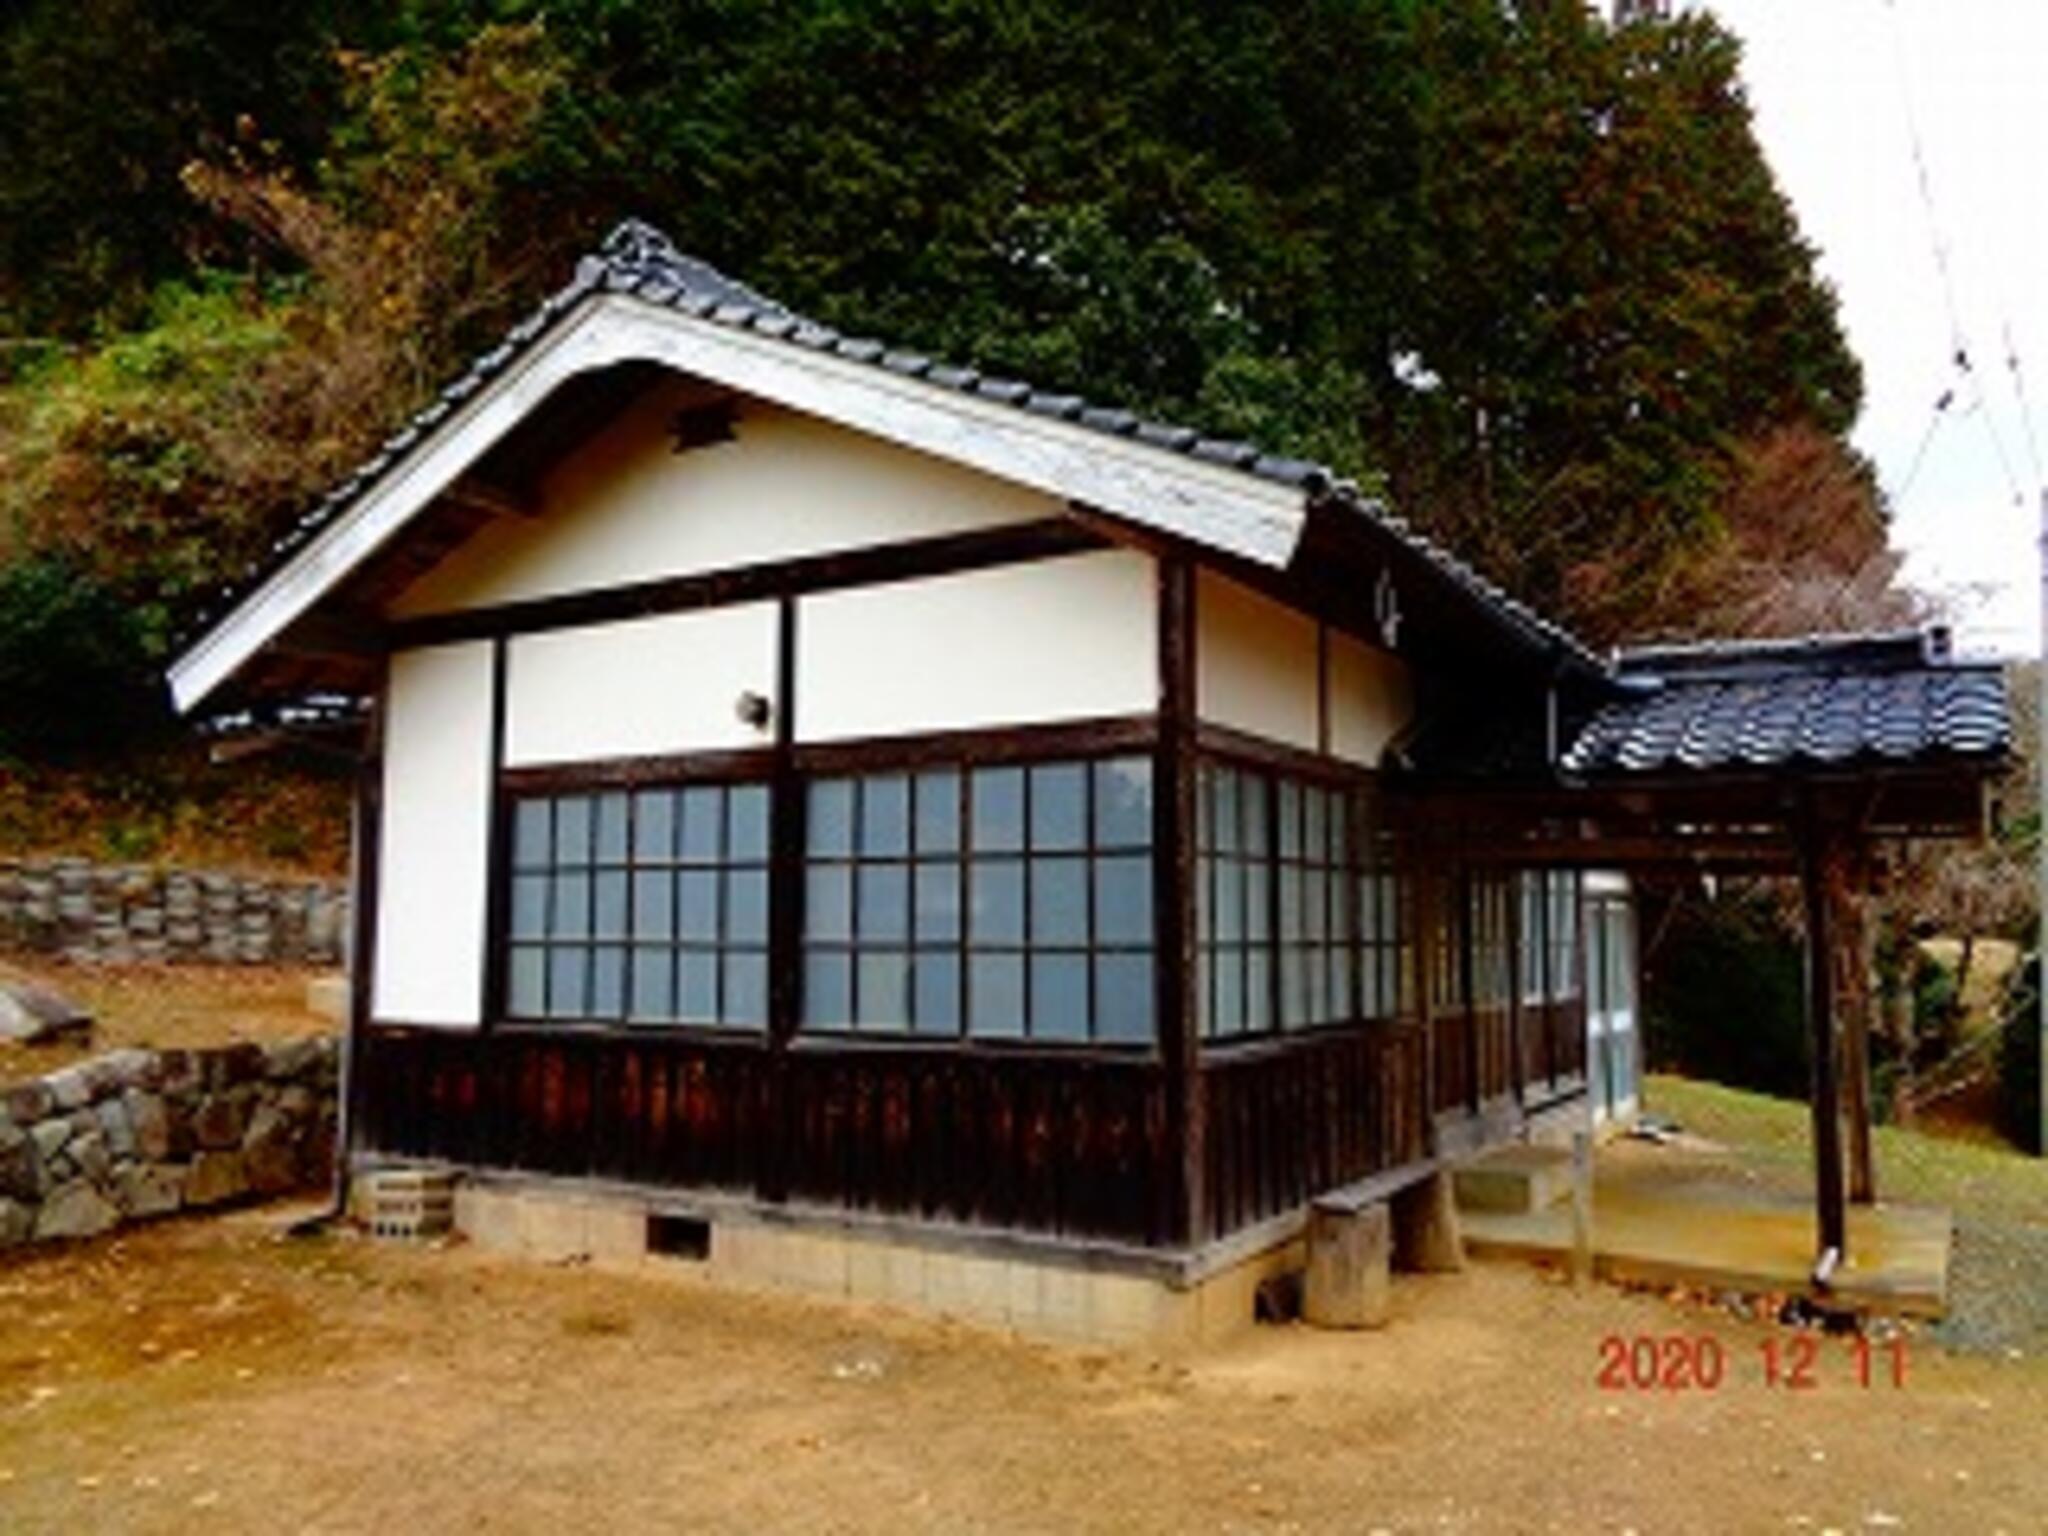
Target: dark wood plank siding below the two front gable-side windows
<point>1056,1144</point>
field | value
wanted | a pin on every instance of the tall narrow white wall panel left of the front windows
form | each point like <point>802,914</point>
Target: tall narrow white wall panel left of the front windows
<point>435,839</point>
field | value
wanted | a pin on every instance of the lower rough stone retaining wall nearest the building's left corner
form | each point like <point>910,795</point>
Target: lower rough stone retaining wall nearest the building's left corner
<point>144,1134</point>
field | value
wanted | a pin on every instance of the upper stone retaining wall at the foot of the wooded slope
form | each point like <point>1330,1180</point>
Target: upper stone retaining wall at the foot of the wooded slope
<point>116,914</point>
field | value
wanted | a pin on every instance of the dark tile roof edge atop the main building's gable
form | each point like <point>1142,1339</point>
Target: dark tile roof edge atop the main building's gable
<point>644,263</point>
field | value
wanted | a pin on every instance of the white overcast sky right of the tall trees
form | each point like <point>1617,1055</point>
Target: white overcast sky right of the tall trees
<point>1830,83</point>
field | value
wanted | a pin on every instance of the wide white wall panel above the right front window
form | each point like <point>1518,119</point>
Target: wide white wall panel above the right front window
<point>1054,640</point>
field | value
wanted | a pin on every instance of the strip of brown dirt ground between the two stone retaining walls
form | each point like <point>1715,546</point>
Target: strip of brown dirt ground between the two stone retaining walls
<point>169,1007</point>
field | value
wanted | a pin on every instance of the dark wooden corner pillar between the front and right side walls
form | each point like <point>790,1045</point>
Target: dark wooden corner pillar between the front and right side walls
<point>1175,876</point>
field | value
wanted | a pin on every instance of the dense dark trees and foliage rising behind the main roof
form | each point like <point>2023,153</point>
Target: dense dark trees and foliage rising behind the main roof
<point>1523,267</point>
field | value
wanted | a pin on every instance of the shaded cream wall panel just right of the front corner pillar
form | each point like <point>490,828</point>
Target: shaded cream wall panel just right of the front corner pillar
<point>1254,665</point>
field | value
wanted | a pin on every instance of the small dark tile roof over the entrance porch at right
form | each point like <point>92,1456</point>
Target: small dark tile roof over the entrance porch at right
<point>1830,701</point>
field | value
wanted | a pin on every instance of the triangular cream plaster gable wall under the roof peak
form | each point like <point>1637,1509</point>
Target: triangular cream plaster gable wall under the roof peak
<point>626,507</point>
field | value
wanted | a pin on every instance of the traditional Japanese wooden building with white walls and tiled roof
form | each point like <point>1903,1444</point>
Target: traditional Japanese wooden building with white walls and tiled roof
<point>816,790</point>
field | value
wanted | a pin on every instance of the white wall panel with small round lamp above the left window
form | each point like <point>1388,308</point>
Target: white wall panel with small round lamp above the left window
<point>640,687</point>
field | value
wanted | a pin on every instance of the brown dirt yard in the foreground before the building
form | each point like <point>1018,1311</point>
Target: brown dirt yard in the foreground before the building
<point>210,1373</point>
